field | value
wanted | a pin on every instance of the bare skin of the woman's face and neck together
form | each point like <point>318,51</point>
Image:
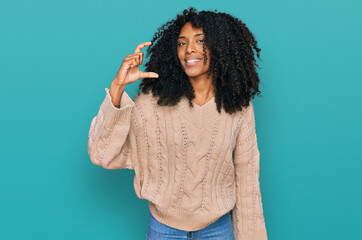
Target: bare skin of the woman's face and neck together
<point>190,44</point>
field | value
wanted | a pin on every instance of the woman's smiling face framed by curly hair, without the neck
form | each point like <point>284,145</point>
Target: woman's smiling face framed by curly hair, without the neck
<point>190,51</point>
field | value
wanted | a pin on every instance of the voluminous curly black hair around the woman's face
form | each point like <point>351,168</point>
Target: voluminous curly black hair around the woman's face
<point>232,61</point>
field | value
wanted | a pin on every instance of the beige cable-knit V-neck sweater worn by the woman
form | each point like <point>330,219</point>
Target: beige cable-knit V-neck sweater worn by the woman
<point>193,165</point>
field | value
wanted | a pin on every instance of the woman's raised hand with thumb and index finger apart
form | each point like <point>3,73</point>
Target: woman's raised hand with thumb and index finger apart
<point>129,71</point>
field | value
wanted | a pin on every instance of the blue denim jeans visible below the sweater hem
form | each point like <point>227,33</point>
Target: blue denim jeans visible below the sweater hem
<point>221,229</point>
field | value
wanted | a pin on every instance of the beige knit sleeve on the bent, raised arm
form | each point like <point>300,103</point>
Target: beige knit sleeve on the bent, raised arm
<point>110,137</point>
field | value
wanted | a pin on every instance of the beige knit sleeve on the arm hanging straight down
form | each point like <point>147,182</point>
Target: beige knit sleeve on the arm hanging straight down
<point>247,215</point>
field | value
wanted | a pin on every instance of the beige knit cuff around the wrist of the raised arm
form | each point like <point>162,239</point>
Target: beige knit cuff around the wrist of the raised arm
<point>113,115</point>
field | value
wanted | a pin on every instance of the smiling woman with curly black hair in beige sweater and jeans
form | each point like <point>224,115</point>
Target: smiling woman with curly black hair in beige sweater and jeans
<point>189,134</point>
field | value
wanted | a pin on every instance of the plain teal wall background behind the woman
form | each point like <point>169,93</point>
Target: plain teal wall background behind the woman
<point>57,57</point>
